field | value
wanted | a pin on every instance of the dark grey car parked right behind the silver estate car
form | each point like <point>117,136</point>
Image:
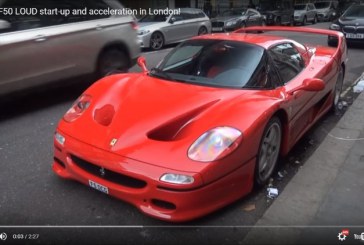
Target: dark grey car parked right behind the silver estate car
<point>233,19</point>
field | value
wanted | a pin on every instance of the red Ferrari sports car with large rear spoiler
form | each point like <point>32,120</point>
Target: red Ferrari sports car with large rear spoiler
<point>195,133</point>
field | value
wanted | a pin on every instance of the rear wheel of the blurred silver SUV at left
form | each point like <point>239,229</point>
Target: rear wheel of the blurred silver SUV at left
<point>111,61</point>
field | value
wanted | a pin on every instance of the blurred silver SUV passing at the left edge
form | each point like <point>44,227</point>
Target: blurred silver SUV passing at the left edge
<point>38,47</point>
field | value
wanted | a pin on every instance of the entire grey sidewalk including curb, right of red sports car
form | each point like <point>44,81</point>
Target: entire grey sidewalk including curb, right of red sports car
<point>326,195</point>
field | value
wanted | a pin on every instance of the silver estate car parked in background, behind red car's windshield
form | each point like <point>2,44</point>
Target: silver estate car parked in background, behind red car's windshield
<point>155,31</point>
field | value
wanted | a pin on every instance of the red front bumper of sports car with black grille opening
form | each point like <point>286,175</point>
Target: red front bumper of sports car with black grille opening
<point>142,186</point>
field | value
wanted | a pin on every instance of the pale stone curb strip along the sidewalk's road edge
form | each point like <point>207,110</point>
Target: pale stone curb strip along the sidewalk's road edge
<point>301,199</point>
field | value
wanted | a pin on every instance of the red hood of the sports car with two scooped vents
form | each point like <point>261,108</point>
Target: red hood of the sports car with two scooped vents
<point>151,119</point>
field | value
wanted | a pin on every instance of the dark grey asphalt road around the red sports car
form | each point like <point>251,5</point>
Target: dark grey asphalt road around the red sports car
<point>32,195</point>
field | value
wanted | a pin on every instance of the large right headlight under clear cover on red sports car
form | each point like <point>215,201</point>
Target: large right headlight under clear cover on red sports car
<point>215,144</point>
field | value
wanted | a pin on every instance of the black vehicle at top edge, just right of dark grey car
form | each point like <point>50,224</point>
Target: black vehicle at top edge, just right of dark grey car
<point>277,12</point>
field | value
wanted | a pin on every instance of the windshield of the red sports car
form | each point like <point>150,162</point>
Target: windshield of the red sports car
<point>216,63</point>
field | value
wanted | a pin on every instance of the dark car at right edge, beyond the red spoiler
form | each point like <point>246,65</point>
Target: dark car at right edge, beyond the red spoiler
<point>351,23</point>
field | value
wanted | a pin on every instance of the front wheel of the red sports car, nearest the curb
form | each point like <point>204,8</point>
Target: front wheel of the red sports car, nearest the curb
<point>268,152</point>
